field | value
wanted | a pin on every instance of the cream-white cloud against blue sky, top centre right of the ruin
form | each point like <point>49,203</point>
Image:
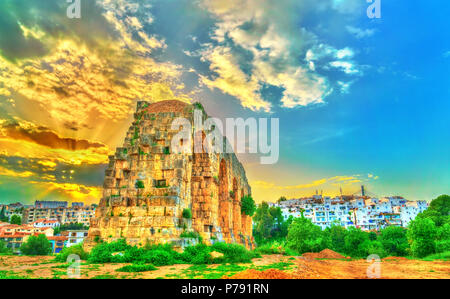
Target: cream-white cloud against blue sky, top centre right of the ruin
<point>260,43</point>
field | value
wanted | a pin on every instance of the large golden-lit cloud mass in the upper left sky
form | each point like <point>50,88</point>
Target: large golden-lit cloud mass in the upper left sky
<point>95,67</point>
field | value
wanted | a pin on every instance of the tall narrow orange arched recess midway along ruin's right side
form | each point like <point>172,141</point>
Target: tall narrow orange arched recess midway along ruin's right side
<point>224,207</point>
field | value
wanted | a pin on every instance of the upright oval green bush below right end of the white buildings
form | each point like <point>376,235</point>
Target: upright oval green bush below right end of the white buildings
<point>422,233</point>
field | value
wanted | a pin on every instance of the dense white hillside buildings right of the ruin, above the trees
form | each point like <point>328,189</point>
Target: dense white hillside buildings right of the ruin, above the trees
<point>364,212</point>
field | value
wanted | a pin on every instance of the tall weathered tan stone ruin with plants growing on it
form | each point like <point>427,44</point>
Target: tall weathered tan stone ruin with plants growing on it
<point>147,187</point>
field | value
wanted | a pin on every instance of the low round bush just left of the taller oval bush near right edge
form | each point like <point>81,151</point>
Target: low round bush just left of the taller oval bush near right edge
<point>394,240</point>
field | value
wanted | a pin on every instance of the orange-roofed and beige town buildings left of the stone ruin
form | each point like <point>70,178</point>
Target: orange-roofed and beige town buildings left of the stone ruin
<point>18,222</point>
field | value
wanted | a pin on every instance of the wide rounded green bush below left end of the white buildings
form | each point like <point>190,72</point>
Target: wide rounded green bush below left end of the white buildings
<point>304,236</point>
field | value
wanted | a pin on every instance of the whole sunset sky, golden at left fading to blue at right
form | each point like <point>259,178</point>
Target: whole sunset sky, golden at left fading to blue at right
<point>360,101</point>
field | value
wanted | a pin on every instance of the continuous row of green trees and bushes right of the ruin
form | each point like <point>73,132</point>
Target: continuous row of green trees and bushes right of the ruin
<point>428,236</point>
